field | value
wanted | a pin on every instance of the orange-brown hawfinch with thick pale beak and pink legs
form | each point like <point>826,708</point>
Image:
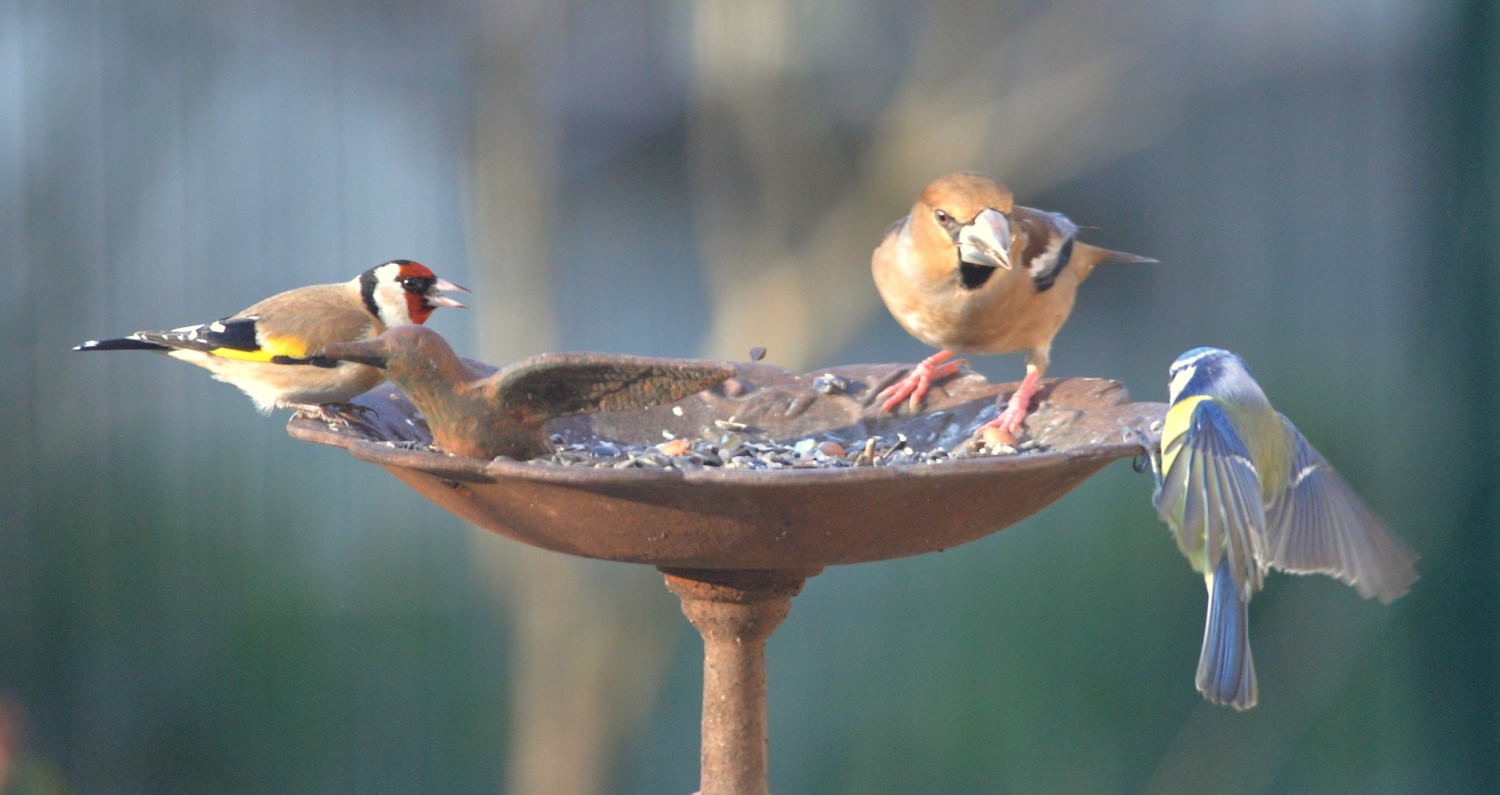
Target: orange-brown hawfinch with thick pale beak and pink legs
<point>970,271</point>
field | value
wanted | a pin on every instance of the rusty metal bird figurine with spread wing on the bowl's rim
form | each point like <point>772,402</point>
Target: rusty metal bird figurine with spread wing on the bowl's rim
<point>479,412</point>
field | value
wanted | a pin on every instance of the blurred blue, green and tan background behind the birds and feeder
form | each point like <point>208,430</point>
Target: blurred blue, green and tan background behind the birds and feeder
<point>193,602</point>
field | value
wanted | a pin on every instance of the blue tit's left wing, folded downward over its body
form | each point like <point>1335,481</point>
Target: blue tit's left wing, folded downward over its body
<point>1211,494</point>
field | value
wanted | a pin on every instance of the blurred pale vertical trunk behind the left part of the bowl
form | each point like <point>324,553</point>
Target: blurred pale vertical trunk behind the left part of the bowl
<point>589,649</point>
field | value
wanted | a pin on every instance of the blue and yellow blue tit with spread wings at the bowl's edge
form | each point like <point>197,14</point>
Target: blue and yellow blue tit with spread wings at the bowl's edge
<point>1244,493</point>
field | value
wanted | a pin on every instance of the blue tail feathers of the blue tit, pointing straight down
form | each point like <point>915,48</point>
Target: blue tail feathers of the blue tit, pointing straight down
<point>1226,670</point>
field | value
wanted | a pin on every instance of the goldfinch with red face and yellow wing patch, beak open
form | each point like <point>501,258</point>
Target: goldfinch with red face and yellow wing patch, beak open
<point>274,350</point>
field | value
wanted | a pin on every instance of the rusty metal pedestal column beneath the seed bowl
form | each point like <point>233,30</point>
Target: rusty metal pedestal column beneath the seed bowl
<point>736,613</point>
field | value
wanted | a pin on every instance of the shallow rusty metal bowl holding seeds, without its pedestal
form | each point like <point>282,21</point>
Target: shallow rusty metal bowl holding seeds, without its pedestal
<point>766,520</point>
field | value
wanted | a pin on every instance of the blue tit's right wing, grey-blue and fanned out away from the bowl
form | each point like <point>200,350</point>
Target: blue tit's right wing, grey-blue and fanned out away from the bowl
<point>1319,526</point>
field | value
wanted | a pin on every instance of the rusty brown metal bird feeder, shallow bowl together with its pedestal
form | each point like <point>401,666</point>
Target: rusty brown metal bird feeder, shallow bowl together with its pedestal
<point>737,545</point>
